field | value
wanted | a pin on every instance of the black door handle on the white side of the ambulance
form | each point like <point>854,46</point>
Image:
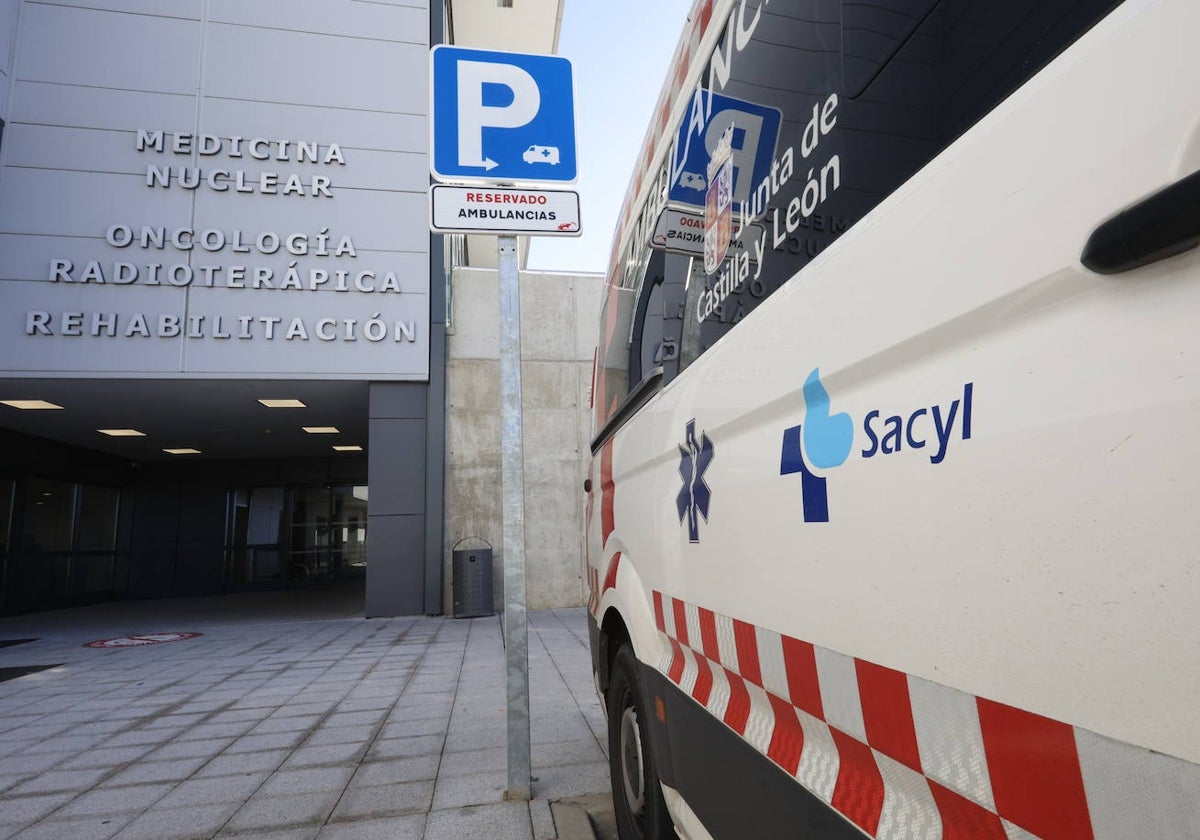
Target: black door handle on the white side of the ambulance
<point>1162,226</point>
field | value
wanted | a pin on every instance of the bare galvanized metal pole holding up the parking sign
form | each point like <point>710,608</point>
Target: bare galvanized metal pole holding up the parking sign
<point>517,632</point>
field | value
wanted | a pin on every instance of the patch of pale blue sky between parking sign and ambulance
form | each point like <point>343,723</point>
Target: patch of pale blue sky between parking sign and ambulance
<point>620,51</point>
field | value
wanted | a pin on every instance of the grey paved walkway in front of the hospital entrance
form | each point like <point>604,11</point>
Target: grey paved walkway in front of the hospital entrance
<point>286,723</point>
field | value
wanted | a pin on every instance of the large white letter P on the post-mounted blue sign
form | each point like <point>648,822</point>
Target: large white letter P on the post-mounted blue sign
<point>475,116</point>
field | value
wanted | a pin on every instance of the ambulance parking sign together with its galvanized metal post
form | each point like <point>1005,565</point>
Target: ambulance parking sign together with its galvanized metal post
<point>529,139</point>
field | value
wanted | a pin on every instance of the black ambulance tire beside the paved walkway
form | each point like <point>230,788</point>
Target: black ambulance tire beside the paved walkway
<point>637,795</point>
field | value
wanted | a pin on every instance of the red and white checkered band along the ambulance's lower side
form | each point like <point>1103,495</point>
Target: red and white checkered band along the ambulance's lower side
<point>909,758</point>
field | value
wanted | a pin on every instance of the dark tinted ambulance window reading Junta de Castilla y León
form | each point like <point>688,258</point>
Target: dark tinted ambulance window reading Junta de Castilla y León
<point>836,104</point>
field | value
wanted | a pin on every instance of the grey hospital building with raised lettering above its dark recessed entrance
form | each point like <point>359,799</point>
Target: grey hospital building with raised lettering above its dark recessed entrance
<point>223,316</point>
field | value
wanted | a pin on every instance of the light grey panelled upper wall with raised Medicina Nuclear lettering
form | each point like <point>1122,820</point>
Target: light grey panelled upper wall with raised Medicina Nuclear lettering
<point>351,77</point>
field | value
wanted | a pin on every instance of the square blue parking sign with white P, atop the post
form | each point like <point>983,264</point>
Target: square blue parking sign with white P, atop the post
<point>502,117</point>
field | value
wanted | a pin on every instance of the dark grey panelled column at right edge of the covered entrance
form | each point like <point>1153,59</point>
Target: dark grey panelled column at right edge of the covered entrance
<point>397,475</point>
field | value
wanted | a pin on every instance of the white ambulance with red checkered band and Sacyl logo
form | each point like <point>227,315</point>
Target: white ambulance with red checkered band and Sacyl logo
<point>895,517</point>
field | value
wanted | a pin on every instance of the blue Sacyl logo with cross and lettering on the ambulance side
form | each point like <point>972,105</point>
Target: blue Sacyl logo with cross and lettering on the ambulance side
<point>825,441</point>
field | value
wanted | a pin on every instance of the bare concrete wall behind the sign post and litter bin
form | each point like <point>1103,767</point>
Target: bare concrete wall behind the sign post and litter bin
<point>560,323</point>
